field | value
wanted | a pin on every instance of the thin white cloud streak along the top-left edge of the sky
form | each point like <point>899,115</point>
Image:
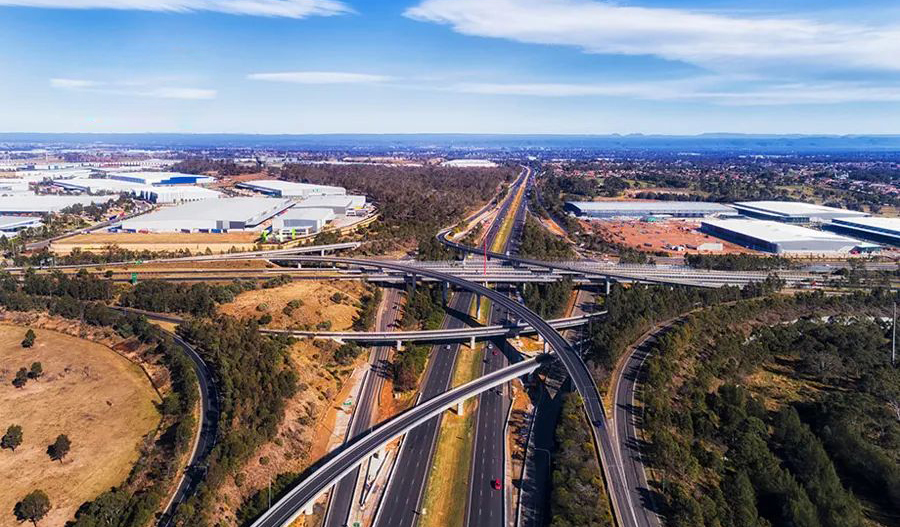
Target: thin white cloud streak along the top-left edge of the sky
<point>274,8</point>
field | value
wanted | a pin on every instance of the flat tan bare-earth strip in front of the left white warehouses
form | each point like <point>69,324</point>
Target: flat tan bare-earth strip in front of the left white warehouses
<point>194,242</point>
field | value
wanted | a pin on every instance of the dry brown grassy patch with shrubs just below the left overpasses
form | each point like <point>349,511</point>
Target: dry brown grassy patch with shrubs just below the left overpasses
<point>318,304</point>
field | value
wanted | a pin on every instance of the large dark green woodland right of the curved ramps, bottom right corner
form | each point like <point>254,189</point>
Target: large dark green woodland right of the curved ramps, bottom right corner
<point>725,459</point>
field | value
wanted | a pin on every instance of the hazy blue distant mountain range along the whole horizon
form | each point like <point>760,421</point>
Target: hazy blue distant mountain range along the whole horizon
<point>705,143</point>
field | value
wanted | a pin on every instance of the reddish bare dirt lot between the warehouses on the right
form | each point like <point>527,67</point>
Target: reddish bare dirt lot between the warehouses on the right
<point>661,236</point>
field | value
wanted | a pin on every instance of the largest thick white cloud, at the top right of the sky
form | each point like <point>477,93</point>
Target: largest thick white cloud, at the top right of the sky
<point>713,41</point>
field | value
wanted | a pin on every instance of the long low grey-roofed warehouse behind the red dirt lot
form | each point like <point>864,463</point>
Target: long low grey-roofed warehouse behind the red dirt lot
<point>638,209</point>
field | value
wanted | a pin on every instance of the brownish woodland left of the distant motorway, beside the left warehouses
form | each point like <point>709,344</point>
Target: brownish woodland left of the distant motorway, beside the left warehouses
<point>414,202</point>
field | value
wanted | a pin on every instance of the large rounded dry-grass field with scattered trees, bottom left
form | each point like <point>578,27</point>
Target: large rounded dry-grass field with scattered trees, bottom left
<point>103,402</point>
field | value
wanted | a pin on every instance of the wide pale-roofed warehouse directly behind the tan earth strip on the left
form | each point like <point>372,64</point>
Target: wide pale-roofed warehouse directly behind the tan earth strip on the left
<point>220,215</point>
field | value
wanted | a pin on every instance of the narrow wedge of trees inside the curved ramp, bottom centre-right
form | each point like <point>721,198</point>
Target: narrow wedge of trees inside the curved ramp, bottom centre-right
<point>578,498</point>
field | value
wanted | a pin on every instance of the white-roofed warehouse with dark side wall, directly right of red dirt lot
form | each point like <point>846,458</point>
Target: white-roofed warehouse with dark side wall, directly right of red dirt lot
<point>780,238</point>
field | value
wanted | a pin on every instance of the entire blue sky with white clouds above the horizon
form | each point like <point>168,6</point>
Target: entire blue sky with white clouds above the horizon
<point>504,66</point>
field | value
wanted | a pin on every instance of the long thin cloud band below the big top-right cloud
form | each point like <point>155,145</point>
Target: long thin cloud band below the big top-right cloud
<point>721,91</point>
